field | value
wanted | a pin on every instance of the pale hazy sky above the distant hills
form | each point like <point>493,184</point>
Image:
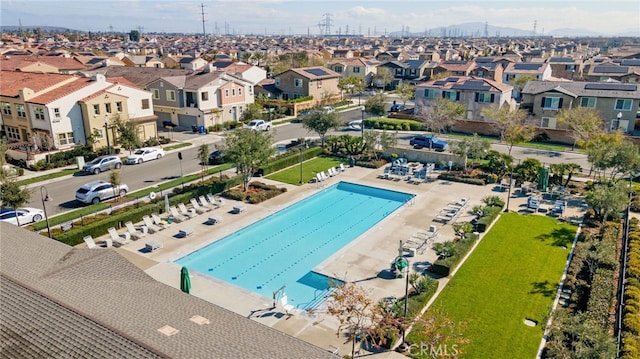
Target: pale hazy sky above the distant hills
<point>284,17</point>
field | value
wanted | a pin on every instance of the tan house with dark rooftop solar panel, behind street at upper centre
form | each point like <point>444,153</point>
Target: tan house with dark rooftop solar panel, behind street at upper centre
<point>319,82</point>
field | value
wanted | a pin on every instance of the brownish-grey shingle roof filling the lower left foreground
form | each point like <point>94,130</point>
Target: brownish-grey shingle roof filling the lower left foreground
<point>94,302</point>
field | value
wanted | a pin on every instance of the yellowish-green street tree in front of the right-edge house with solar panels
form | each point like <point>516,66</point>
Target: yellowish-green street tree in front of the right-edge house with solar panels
<point>583,122</point>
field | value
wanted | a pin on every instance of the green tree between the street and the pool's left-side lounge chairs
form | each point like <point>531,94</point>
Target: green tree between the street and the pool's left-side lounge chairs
<point>249,150</point>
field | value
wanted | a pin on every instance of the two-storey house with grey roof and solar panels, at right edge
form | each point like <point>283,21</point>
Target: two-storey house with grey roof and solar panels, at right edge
<point>618,104</point>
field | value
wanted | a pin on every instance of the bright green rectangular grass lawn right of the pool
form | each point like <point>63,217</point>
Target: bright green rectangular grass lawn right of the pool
<point>513,274</point>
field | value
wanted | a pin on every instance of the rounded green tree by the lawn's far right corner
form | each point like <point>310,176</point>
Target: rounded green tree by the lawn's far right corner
<point>607,199</point>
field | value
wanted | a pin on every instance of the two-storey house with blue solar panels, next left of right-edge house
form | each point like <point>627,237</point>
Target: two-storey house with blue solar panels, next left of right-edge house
<point>474,93</point>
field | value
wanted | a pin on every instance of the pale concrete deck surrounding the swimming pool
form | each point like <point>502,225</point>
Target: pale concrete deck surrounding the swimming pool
<point>366,260</point>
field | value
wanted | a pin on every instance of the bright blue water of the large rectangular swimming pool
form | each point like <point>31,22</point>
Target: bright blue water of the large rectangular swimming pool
<point>284,247</point>
